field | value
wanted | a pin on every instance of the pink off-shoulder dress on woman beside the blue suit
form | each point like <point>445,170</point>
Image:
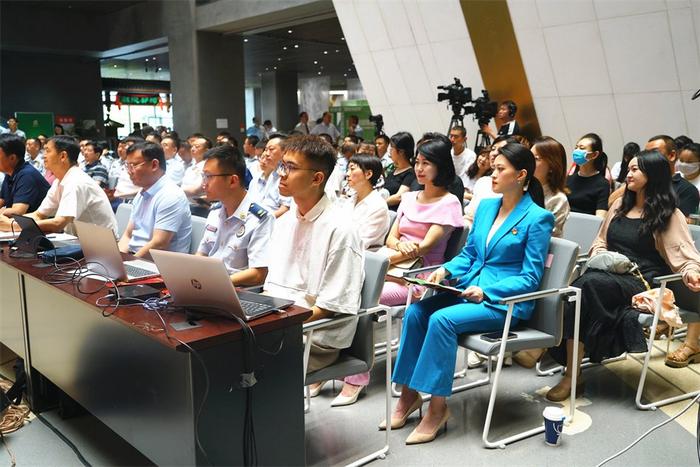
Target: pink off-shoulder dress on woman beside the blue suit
<point>415,219</point>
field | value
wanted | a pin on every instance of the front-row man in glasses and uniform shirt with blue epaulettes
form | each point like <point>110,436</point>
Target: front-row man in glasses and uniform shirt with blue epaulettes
<point>239,231</point>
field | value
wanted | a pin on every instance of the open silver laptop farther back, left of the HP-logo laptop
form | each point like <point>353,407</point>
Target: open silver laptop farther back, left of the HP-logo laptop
<point>102,255</point>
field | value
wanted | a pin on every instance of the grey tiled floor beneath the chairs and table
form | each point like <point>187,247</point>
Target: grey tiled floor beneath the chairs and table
<point>607,421</point>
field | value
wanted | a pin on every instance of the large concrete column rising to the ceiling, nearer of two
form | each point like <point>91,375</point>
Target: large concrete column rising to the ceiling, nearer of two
<point>206,76</point>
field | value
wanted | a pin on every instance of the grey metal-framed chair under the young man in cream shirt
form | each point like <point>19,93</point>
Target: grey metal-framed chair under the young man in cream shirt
<point>359,357</point>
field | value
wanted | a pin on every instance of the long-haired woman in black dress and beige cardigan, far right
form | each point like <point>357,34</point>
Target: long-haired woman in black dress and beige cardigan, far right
<point>645,226</point>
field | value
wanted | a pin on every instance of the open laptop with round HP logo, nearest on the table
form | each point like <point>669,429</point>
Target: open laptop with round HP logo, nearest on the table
<point>203,284</point>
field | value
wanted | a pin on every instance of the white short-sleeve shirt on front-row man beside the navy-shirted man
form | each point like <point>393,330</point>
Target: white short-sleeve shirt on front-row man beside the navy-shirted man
<point>78,196</point>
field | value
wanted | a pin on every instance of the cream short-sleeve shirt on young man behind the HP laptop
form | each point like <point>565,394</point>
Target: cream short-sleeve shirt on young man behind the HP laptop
<point>318,260</point>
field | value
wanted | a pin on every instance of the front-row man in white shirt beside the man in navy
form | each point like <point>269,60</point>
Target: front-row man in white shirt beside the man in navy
<point>72,196</point>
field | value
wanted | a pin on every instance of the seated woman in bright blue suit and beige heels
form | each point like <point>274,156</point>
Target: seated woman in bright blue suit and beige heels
<point>504,256</point>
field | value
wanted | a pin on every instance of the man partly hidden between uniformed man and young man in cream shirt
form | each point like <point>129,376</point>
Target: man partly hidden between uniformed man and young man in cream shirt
<point>264,187</point>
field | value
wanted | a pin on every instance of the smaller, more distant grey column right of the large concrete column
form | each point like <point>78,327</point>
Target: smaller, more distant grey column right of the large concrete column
<point>279,99</point>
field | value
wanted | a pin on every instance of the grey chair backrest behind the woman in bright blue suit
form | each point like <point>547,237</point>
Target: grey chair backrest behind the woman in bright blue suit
<point>548,315</point>
